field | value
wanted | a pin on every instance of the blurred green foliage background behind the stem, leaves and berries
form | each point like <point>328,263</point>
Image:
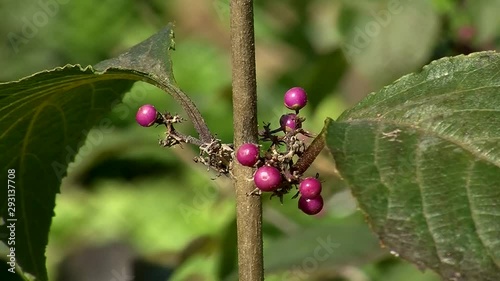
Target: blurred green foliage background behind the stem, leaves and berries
<point>130,208</point>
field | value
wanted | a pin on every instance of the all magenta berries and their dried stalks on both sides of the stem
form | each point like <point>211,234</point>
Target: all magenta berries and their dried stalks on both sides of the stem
<point>277,169</point>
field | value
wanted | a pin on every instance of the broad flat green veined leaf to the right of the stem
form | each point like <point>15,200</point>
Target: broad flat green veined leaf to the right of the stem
<point>422,157</point>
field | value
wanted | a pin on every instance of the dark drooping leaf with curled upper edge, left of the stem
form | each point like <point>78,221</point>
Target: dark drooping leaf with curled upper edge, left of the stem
<point>44,120</point>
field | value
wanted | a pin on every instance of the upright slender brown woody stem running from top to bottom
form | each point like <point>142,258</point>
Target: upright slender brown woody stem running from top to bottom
<point>248,208</point>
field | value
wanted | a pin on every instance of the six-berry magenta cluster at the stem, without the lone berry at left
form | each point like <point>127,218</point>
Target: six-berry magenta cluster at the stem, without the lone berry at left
<point>275,171</point>
